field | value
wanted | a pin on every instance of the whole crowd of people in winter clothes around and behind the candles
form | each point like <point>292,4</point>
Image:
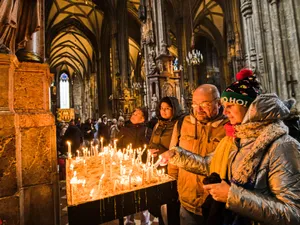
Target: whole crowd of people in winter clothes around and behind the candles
<point>235,156</point>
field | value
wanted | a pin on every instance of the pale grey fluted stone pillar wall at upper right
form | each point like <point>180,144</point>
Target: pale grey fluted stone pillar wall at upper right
<point>271,37</point>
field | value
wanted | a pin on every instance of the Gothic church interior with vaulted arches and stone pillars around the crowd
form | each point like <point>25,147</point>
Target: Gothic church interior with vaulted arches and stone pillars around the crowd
<point>80,59</point>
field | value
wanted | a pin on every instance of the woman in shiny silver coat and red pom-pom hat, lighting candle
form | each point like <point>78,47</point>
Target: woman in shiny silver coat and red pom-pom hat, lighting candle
<point>263,165</point>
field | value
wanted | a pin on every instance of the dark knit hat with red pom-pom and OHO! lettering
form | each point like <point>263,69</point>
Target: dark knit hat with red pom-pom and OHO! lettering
<point>244,90</point>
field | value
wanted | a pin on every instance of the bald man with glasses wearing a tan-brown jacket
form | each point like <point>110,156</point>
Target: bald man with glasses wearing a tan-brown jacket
<point>200,132</point>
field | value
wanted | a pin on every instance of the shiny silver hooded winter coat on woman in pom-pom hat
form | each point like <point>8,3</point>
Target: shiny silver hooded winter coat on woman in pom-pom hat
<point>263,167</point>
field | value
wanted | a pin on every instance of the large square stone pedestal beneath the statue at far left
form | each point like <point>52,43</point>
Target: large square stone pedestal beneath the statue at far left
<point>28,162</point>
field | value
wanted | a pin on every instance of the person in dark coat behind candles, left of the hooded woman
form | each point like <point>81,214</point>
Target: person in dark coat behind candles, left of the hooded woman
<point>136,132</point>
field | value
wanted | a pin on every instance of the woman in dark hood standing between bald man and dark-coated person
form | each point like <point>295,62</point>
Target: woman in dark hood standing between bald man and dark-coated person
<point>168,112</point>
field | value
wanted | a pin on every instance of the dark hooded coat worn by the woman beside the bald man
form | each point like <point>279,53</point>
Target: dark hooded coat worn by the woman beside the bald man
<point>162,132</point>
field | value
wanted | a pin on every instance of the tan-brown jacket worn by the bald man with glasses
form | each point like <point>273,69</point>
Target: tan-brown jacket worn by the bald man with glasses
<point>190,189</point>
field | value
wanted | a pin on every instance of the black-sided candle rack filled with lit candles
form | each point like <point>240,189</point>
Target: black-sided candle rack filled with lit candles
<point>111,184</point>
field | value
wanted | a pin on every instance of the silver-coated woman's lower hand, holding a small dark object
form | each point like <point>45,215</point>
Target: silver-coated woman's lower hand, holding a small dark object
<point>218,191</point>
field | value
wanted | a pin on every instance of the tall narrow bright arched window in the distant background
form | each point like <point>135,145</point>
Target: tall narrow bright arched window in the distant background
<point>64,91</point>
